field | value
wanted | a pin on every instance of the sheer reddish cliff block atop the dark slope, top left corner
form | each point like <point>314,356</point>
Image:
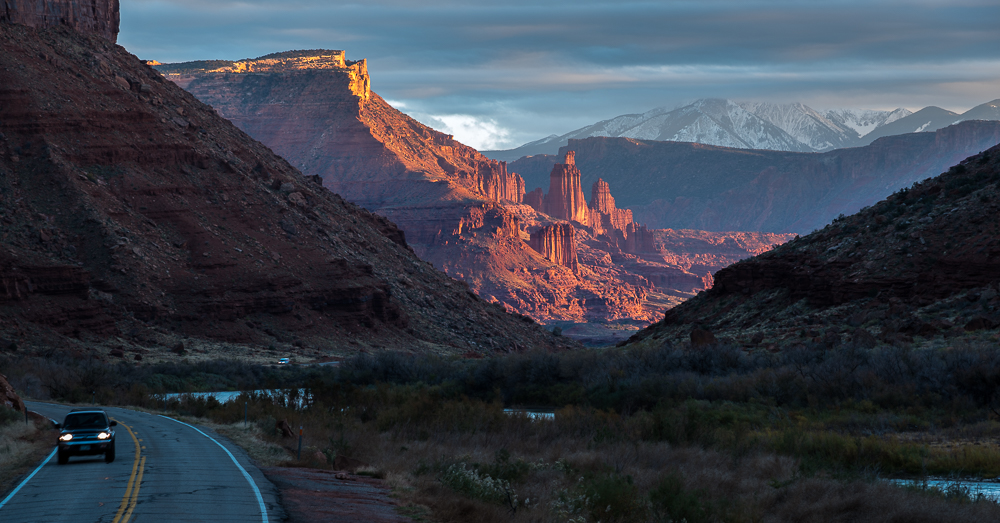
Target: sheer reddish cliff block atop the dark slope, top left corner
<point>98,17</point>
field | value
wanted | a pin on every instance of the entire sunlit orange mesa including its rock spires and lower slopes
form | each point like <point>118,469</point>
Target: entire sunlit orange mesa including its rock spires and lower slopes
<point>466,214</point>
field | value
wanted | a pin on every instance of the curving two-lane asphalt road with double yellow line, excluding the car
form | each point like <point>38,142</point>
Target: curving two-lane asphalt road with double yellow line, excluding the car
<point>168,471</point>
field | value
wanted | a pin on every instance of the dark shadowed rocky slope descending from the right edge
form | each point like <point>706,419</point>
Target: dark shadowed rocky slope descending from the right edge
<point>916,267</point>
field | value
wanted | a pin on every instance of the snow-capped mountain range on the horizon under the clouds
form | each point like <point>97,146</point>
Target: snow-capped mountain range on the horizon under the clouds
<point>791,127</point>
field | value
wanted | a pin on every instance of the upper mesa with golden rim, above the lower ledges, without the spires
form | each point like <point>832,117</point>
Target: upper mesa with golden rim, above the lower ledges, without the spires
<point>316,109</point>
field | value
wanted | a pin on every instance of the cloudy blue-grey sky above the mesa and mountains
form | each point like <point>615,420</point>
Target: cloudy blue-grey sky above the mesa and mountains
<point>497,74</point>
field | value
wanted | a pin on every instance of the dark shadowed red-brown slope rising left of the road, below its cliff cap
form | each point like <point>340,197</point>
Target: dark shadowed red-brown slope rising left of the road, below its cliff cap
<point>132,214</point>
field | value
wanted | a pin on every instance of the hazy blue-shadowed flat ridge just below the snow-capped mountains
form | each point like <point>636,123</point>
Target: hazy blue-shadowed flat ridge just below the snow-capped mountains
<point>693,186</point>
